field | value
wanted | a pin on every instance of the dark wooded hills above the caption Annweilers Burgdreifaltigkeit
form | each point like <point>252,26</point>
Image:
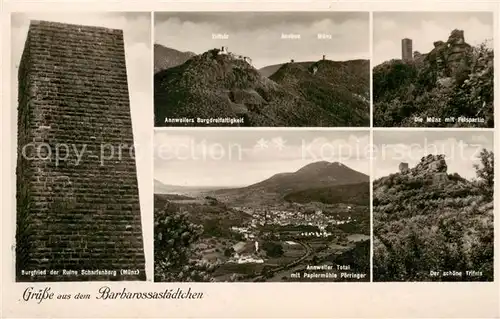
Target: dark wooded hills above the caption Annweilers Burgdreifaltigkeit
<point>216,84</point>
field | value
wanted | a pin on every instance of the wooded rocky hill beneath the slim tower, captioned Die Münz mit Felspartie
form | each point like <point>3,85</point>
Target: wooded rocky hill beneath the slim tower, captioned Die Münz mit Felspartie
<point>454,79</point>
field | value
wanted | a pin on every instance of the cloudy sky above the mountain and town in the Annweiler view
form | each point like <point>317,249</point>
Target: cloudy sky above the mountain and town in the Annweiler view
<point>216,158</point>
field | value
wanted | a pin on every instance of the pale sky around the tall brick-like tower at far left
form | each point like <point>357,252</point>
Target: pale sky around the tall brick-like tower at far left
<point>137,36</point>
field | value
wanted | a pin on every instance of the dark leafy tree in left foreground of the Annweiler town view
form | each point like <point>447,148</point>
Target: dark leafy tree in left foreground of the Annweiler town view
<point>175,257</point>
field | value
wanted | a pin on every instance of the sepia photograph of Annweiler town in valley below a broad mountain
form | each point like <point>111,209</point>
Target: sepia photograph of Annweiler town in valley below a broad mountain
<point>261,206</point>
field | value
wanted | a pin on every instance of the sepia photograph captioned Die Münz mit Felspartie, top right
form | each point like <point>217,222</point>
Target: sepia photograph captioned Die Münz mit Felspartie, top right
<point>433,69</point>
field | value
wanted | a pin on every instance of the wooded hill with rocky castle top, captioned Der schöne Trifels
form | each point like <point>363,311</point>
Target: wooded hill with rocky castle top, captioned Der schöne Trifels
<point>428,220</point>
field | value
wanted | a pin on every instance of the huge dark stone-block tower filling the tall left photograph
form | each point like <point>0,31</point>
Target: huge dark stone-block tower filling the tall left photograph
<point>78,213</point>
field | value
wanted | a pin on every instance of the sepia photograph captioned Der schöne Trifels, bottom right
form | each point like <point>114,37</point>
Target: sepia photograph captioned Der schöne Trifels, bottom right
<point>433,206</point>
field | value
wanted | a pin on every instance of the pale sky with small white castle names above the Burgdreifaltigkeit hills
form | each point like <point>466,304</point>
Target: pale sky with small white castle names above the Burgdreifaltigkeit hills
<point>258,35</point>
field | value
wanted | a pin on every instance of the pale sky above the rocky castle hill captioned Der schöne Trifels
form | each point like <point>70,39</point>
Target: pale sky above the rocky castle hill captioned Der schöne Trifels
<point>460,148</point>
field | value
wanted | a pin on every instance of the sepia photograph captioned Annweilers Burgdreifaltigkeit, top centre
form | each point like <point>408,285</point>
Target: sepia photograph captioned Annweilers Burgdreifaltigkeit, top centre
<point>265,69</point>
